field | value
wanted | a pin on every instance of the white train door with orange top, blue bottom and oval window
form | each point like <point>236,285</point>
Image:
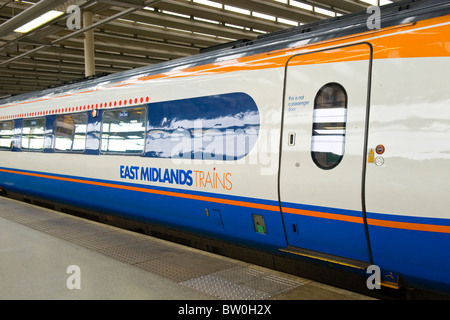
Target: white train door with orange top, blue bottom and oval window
<point>323,151</point>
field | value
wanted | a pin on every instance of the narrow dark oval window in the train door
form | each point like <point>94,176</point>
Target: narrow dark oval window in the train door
<point>329,123</point>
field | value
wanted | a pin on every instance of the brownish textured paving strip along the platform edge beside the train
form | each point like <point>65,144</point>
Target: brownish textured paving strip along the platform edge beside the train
<point>219,277</point>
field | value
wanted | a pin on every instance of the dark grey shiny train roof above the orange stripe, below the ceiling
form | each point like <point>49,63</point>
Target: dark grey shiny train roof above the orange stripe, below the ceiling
<point>393,14</point>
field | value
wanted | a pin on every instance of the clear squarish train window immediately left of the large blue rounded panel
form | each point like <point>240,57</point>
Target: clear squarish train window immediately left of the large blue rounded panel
<point>123,131</point>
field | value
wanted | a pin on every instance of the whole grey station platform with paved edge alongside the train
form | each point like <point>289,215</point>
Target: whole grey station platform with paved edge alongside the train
<point>49,255</point>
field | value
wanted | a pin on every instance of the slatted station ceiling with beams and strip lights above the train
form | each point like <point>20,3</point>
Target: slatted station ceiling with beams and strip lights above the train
<point>134,33</point>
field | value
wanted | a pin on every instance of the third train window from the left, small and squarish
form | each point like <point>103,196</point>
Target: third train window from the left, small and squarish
<point>70,132</point>
